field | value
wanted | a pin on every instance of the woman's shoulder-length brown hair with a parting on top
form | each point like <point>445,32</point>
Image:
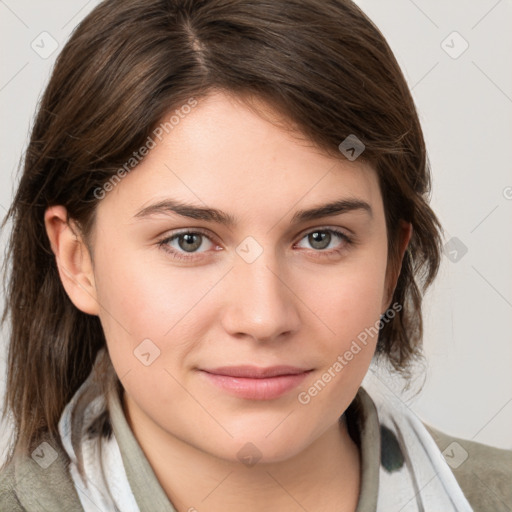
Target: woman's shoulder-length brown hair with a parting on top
<point>321,63</point>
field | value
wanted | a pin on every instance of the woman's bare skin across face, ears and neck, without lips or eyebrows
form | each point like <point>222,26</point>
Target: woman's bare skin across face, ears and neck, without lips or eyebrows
<point>294,304</point>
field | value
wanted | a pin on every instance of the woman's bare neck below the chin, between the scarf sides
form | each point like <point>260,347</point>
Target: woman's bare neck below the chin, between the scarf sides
<point>325,476</point>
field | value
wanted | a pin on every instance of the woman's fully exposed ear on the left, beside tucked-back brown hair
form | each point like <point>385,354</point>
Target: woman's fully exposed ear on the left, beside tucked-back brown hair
<point>73,259</point>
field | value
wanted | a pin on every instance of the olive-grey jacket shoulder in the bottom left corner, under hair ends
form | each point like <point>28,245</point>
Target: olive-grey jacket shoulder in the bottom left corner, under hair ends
<point>39,481</point>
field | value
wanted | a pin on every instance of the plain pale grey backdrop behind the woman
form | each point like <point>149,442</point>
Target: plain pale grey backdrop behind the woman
<point>456,56</point>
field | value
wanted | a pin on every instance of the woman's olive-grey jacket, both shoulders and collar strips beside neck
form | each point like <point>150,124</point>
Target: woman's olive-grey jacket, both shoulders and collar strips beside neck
<point>485,476</point>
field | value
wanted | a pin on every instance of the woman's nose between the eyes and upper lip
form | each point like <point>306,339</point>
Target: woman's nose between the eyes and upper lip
<point>259,302</point>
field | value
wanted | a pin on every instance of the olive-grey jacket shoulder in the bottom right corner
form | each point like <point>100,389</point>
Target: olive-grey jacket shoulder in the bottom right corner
<point>483,472</point>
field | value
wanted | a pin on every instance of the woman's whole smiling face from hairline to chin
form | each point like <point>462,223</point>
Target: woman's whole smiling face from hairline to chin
<point>229,327</point>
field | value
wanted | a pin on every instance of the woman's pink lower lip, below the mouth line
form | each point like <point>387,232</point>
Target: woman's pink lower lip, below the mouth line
<point>256,389</point>
